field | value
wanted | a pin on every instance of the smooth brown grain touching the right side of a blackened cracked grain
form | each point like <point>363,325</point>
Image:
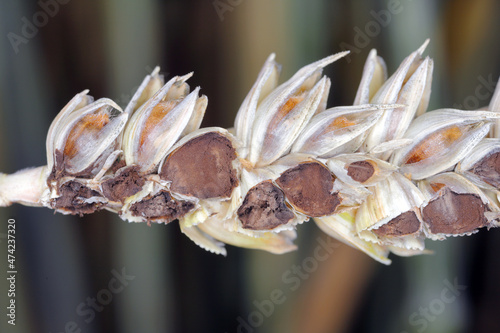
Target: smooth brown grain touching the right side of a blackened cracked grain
<point>308,187</point>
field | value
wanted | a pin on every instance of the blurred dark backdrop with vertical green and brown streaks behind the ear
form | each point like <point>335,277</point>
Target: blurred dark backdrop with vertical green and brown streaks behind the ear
<point>109,46</point>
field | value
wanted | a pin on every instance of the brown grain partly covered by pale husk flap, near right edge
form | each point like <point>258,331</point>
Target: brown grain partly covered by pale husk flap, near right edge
<point>454,213</point>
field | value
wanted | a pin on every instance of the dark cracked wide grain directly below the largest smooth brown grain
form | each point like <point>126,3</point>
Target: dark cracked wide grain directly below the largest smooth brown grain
<point>161,207</point>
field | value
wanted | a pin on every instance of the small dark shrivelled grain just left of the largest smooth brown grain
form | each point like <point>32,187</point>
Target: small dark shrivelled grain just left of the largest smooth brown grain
<point>124,184</point>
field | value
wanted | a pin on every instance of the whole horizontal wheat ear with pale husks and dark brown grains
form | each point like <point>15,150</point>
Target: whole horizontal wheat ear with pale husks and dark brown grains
<point>381,175</point>
